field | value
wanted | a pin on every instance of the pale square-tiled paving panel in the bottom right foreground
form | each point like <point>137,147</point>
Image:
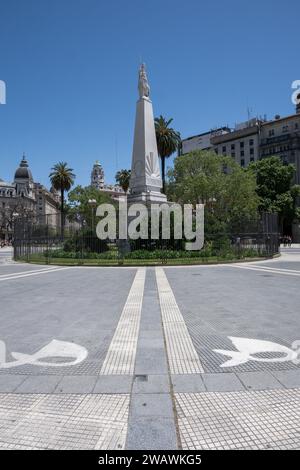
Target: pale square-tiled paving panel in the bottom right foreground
<point>240,420</point>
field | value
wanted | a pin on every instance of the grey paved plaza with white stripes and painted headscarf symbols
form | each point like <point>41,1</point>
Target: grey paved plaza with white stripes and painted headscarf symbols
<point>200,357</point>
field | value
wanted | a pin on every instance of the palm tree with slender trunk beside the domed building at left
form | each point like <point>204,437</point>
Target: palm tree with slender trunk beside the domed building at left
<point>62,178</point>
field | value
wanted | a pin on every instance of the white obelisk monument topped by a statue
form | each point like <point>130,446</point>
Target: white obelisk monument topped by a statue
<point>145,181</point>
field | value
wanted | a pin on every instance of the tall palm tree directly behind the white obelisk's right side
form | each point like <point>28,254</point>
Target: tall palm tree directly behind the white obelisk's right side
<point>168,141</point>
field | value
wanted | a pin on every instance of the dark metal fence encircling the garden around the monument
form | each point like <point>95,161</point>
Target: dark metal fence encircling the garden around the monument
<point>40,239</point>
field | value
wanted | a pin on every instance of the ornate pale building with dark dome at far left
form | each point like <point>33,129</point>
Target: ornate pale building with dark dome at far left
<point>24,196</point>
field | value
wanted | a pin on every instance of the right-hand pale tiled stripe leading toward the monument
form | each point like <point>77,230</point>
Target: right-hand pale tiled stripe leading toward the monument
<point>183,358</point>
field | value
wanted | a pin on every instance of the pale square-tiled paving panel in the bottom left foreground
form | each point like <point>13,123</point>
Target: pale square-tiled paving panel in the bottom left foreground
<point>59,422</point>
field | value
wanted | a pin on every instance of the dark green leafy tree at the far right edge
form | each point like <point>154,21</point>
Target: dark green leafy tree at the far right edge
<point>276,190</point>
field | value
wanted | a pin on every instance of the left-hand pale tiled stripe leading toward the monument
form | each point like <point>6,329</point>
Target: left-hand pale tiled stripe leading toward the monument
<point>121,354</point>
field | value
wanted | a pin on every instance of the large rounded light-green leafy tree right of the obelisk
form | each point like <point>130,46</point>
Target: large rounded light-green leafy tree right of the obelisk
<point>227,190</point>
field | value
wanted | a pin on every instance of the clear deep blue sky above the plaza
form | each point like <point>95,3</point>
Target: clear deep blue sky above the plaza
<point>71,72</point>
